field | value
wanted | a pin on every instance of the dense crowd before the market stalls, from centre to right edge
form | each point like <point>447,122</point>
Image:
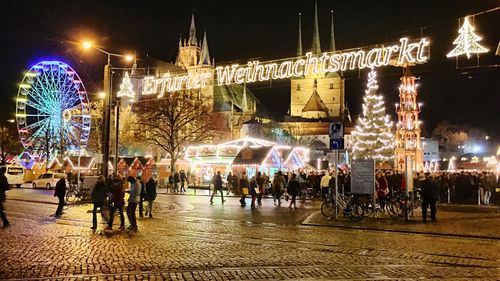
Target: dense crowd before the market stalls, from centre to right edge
<point>461,187</point>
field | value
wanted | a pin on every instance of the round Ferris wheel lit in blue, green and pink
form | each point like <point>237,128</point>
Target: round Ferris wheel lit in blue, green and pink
<point>52,110</point>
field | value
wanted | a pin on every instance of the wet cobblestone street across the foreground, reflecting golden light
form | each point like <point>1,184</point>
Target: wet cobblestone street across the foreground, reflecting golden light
<point>181,243</point>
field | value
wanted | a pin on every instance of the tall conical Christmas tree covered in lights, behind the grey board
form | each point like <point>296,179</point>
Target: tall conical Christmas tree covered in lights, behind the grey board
<point>373,138</point>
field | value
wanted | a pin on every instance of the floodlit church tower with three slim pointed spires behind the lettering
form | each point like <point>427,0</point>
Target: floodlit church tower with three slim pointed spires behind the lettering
<point>324,90</point>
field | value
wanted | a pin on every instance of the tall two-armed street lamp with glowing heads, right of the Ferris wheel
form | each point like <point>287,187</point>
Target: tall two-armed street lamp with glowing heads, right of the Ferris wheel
<point>106,103</point>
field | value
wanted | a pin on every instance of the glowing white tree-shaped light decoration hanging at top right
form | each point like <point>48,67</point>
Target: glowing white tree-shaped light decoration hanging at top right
<point>467,42</point>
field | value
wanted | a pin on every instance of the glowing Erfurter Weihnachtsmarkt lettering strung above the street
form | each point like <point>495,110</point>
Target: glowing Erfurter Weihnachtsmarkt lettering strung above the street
<point>404,52</point>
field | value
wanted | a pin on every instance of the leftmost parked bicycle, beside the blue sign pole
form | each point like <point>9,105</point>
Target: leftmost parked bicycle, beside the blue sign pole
<point>350,207</point>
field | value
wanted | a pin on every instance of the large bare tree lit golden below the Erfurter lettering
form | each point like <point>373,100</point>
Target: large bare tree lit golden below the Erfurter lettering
<point>174,122</point>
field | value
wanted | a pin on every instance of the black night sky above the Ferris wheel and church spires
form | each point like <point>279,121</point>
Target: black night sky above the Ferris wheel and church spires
<point>241,30</point>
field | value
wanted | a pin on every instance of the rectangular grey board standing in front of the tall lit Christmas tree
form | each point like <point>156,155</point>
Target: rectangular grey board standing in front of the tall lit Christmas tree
<point>363,176</point>
